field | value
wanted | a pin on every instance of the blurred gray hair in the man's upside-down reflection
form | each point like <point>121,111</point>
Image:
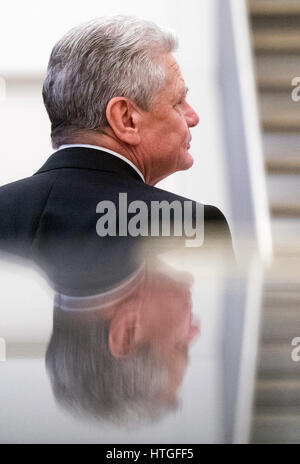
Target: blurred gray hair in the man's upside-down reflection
<point>87,380</point>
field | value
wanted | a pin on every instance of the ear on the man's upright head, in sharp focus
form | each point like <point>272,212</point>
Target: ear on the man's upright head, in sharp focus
<point>123,118</point>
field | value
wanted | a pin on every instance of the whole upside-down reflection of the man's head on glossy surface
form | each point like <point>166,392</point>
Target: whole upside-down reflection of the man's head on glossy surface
<point>122,354</point>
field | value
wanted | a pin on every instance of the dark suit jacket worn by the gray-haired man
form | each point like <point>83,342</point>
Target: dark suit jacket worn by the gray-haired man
<point>51,217</point>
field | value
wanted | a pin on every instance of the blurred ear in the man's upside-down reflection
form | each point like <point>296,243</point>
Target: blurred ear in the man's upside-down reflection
<point>124,333</point>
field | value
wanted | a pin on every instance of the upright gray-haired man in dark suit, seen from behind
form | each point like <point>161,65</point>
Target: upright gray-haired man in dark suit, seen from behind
<point>120,122</point>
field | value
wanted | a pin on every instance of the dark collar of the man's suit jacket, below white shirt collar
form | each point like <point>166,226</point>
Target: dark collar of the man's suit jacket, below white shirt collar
<point>88,158</point>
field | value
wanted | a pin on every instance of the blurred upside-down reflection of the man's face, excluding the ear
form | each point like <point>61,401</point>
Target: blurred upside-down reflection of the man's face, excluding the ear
<point>167,321</point>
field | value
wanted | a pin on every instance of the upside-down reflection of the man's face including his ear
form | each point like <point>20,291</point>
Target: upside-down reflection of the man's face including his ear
<point>158,316</point>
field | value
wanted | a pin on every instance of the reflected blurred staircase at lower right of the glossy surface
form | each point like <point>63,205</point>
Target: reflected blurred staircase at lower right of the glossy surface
<point>276,409</point>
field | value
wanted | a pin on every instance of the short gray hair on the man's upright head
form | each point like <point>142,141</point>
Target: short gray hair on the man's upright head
<point>97,61</point>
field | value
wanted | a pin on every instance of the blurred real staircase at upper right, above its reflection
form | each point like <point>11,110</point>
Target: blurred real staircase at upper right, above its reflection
<point>275,26</point>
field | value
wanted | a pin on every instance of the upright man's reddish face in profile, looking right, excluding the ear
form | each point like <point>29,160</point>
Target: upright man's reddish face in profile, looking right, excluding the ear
<point>166,128</point>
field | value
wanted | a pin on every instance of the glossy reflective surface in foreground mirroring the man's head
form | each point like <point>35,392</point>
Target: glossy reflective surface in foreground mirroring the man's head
<point>181,350</point>
